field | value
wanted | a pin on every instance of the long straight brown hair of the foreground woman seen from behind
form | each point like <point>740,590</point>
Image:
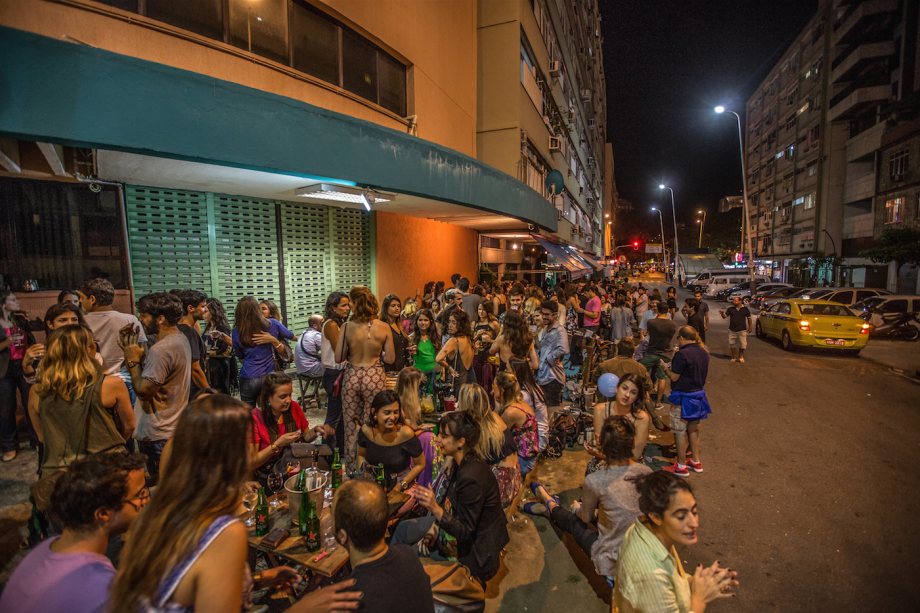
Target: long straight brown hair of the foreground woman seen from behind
<point>202,482</point>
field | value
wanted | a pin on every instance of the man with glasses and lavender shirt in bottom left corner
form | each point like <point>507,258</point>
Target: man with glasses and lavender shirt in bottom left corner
<point>95,501</point>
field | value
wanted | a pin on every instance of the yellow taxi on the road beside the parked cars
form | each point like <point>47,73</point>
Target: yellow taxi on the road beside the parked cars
<point>813,323</point>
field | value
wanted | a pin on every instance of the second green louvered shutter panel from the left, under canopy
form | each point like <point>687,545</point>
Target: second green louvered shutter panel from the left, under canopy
<point>246,250</point>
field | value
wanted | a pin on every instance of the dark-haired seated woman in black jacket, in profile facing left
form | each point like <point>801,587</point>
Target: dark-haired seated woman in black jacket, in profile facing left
<point>475,517</point>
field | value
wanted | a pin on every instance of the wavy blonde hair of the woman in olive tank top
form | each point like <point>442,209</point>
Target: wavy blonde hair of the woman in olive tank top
<point>68,367</point>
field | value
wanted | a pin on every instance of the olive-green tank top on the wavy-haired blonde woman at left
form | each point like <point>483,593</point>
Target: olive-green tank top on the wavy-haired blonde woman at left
<point>67,433</point>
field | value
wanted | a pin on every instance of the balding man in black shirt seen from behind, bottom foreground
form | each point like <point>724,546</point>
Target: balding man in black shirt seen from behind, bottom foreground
<point>390,577</point>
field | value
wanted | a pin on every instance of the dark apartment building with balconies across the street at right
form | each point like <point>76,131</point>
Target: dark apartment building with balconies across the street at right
<point>815,130</point>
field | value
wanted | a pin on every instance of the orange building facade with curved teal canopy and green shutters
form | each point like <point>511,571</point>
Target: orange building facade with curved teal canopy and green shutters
<point>235,145</point>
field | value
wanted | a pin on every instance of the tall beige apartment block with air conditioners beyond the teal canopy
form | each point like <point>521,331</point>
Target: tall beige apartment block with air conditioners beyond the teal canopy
<point>541,113</point>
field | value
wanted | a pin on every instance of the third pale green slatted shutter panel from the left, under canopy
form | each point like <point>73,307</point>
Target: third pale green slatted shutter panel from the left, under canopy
<point>305,240</point>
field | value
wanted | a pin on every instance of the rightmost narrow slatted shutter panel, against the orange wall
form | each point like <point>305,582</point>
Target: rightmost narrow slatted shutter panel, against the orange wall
<point>351,249</point>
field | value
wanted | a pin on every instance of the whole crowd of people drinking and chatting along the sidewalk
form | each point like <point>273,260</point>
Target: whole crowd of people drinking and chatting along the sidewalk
<point>139,431</point>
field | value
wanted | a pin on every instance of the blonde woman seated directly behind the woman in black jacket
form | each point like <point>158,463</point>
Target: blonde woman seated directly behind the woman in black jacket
<point>496,443</point>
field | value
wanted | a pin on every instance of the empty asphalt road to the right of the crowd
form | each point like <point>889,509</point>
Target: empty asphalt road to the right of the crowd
<point>809,489</point>
